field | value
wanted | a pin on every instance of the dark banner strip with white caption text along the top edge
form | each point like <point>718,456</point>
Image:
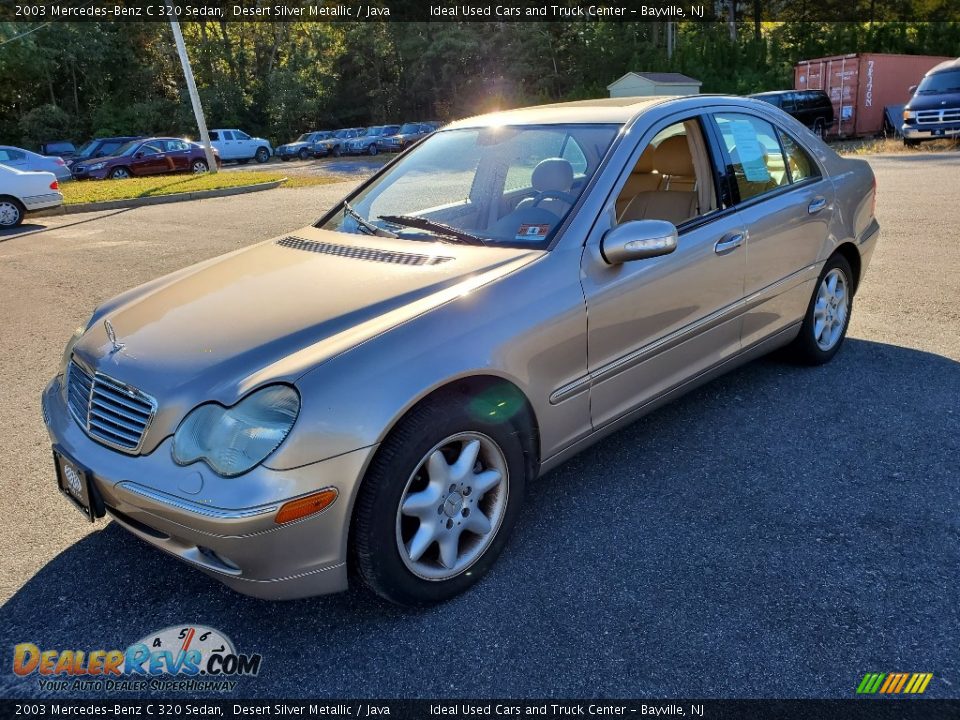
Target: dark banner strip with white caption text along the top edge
<point>479,11</point>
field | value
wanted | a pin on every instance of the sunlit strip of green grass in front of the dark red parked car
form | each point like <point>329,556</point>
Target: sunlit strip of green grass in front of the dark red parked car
<point>89,191</point>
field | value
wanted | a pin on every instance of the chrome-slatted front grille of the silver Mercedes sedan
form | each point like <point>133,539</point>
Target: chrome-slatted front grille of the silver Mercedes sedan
<point>110,411</point>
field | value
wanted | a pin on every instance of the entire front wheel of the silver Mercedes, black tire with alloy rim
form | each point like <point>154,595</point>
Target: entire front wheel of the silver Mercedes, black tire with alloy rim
<point>418,459</point>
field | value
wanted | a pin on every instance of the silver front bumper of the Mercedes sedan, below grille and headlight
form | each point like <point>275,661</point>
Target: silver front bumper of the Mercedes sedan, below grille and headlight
<point>176,509</point>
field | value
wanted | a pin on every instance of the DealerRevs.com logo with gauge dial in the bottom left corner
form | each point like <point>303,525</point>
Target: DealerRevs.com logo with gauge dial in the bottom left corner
<point>177,658</point>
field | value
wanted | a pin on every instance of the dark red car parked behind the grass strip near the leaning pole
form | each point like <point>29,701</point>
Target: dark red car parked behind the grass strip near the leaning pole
<point>146,156</point>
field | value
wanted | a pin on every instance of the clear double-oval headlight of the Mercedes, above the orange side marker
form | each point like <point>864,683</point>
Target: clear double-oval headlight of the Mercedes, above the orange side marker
<point>235,439</point>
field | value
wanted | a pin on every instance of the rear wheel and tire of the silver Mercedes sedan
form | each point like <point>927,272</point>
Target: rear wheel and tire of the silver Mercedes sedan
<point>828,315</point>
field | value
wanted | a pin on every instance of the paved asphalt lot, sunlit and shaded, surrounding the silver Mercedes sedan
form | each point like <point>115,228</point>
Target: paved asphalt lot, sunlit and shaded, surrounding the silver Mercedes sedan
<point>777,533</point>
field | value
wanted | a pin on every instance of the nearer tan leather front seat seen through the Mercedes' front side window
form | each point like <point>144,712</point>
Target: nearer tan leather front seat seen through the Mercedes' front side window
<point>676,198</point>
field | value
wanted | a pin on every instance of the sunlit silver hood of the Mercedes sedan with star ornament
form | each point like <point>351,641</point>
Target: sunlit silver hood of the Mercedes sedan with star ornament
<point>275,310</point>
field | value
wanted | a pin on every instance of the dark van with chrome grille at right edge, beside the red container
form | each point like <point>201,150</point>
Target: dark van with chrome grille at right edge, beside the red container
<point>934,110</point>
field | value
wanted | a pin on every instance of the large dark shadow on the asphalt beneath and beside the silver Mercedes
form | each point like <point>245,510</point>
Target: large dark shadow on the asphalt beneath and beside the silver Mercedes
<point>779,521</point>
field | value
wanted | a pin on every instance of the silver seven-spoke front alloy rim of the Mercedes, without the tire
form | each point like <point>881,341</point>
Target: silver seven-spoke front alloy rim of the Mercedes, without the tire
<point>452,506</point>
